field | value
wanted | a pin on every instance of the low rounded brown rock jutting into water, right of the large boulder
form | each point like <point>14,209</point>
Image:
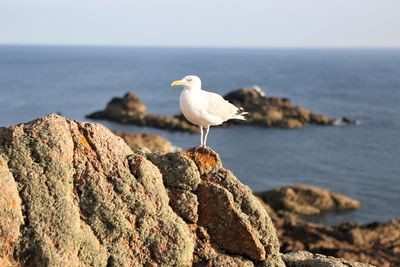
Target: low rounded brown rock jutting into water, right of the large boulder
<point>305,199</point>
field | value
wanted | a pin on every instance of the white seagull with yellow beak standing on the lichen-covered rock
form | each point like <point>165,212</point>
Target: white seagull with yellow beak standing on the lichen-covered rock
<point>203,108</point>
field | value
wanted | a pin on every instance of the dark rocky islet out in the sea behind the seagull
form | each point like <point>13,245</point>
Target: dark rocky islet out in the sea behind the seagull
<point>263,111</point>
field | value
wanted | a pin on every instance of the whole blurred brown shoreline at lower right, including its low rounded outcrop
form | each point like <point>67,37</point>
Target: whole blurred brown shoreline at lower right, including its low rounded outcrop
<point>374,243</point>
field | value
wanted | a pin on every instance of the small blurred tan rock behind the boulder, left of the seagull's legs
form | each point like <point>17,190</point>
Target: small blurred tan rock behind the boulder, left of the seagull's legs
<point>153,142</point>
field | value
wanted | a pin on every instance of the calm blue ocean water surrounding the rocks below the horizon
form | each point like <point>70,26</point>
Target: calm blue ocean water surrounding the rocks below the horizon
<point>362,161</point>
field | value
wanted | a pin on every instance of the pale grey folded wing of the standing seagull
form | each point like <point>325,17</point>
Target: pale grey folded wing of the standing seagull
<point>218,106</point>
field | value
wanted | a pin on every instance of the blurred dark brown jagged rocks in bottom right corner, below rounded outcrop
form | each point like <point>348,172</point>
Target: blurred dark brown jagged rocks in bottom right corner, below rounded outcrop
<point>375,243</point>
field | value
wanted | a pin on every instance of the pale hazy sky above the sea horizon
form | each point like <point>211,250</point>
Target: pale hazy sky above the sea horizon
<point>205,23</point>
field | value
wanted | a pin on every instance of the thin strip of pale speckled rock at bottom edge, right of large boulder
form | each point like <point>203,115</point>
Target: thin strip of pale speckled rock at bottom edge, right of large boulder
<point>304,258</point>
